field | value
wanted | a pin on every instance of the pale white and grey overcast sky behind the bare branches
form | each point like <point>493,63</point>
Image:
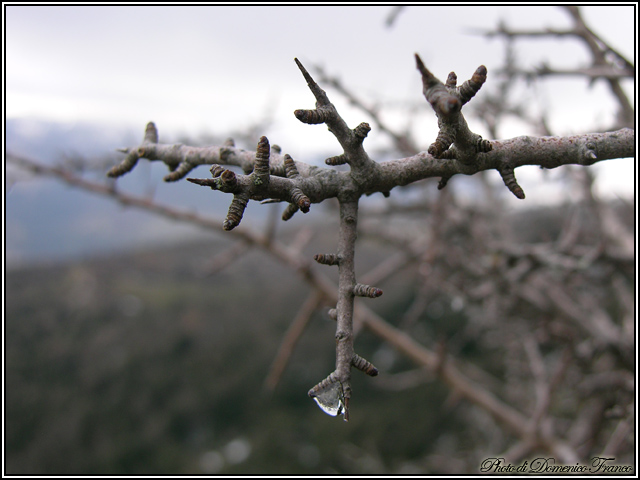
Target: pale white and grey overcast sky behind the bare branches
<point>213,68</point>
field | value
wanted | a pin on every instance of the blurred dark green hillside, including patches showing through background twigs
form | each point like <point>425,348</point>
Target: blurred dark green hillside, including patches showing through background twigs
<point>139,364</point>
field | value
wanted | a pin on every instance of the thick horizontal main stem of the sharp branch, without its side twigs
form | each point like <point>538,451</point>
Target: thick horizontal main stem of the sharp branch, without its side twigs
<point>319,184</point>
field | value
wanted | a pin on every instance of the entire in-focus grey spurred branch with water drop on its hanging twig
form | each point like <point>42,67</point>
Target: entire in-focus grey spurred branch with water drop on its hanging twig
<point>271,177</point>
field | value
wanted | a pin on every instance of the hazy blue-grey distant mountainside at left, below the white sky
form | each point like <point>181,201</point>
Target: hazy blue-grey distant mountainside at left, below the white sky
<point>47,220</point>
